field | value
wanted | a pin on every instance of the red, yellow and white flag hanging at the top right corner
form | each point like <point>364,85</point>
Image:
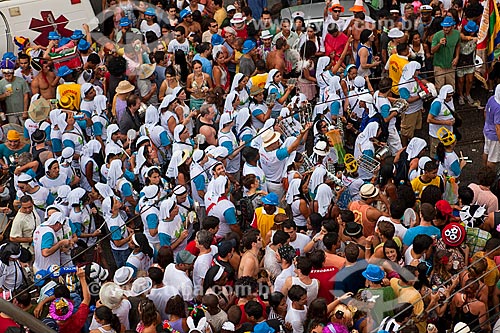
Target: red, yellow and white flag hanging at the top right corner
<point>488,46</point>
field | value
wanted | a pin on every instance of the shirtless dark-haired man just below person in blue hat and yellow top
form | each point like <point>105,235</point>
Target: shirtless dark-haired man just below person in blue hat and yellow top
<point>250,265</point>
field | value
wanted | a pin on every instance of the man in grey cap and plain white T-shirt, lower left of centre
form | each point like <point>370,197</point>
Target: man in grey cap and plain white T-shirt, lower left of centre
<point>176,274</point>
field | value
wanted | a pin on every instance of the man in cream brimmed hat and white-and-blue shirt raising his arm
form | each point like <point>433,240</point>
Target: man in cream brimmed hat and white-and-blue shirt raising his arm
<point>274,157</point>
